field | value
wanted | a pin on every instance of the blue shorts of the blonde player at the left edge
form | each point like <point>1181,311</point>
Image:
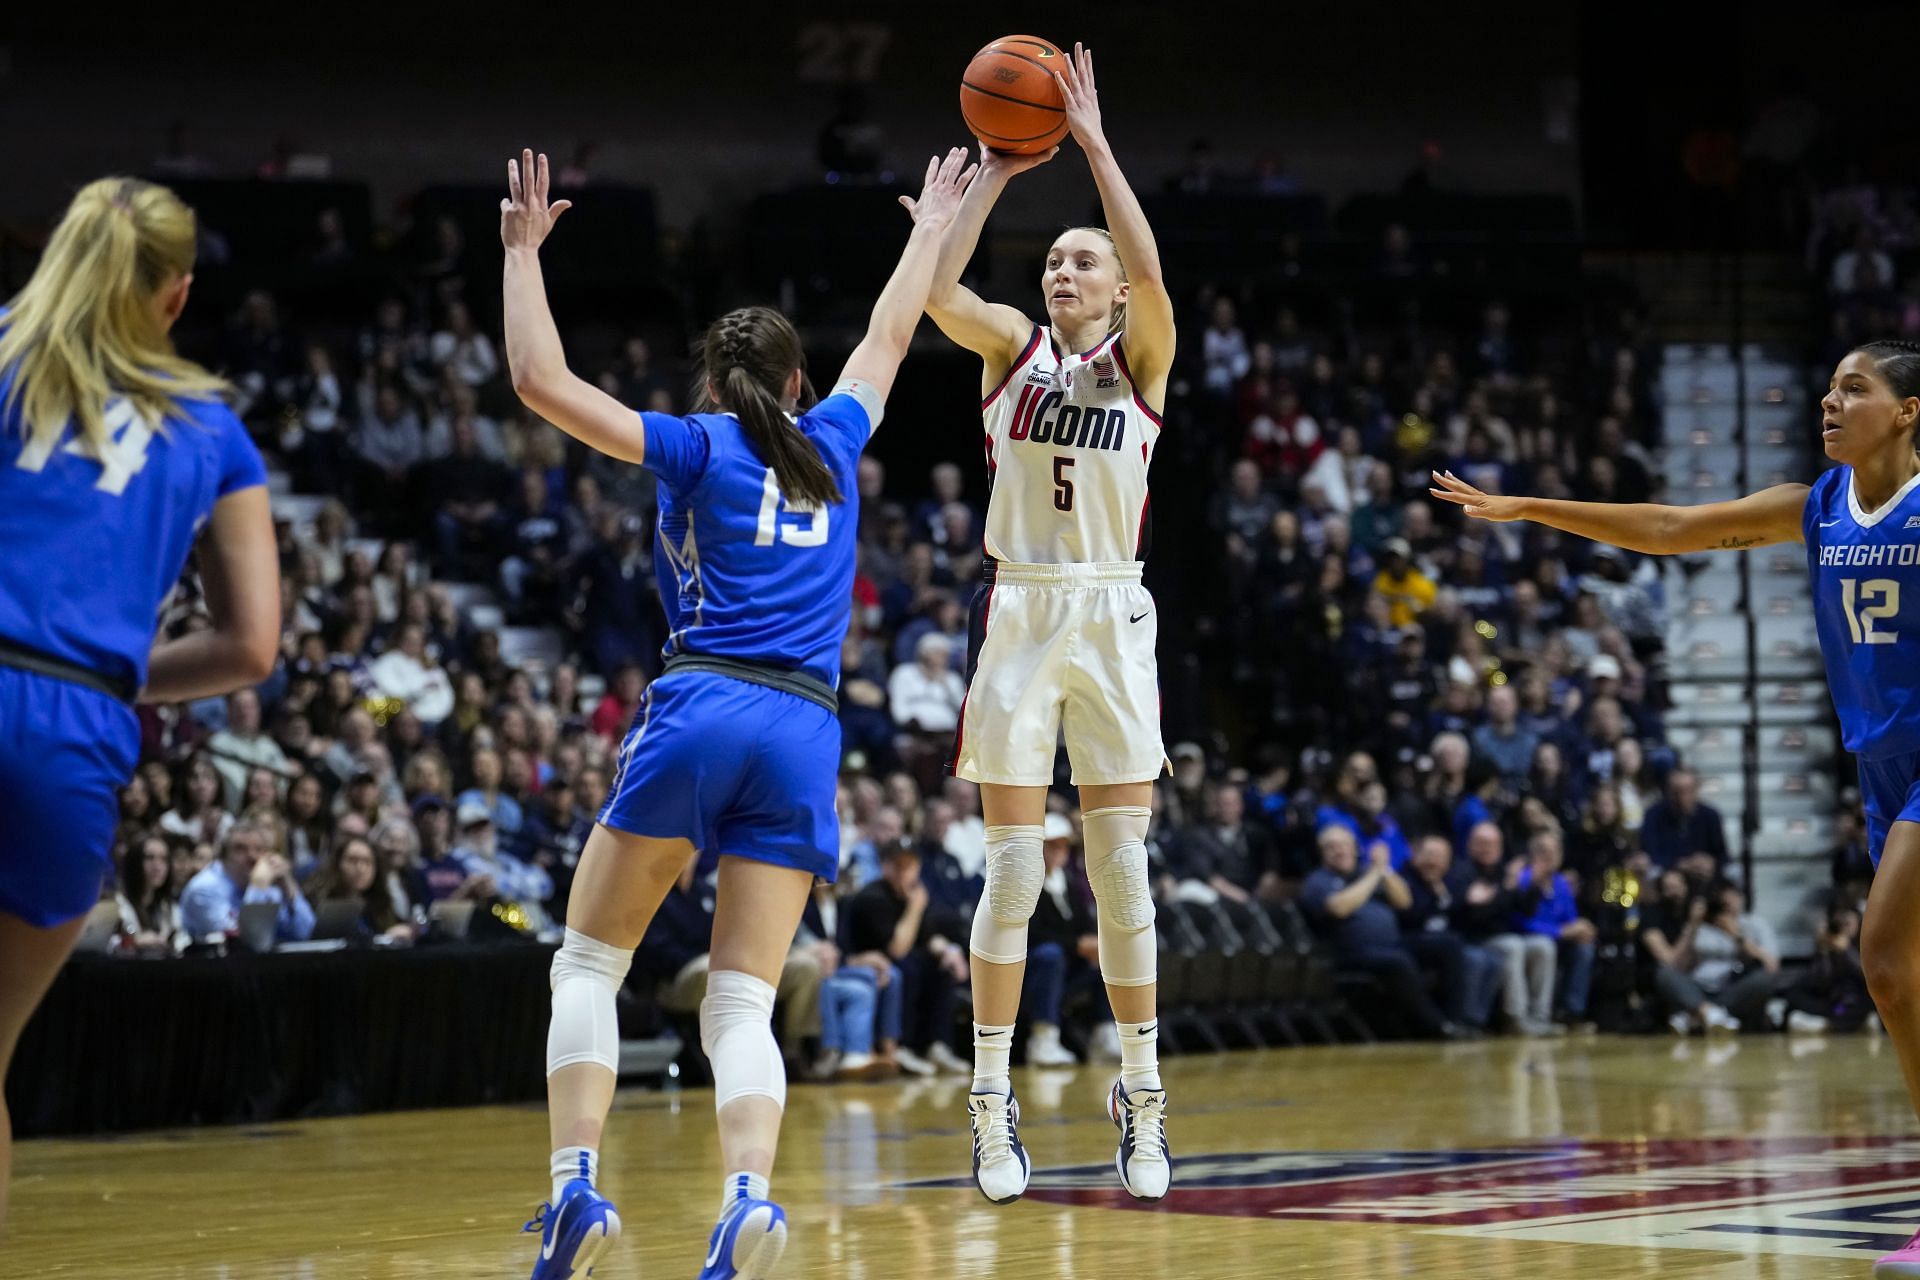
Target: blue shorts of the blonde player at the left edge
<point>64,755</point>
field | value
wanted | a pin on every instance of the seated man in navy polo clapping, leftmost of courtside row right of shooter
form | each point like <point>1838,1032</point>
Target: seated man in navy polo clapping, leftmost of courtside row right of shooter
<point>1356,911</point>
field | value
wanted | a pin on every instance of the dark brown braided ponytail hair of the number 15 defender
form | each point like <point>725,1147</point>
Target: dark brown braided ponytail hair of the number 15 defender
<point>746,362</point>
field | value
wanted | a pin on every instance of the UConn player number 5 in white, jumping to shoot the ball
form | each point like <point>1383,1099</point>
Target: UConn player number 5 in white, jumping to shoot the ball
<point>1063,630</point>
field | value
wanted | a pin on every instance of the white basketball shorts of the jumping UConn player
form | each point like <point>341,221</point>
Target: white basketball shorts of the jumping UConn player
<point>1063,646</point>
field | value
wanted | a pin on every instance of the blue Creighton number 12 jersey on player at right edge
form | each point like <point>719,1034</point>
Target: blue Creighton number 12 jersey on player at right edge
<point>1867,605</point>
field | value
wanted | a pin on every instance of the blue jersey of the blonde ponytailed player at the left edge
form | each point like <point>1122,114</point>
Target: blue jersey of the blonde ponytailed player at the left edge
<point>91,548</point>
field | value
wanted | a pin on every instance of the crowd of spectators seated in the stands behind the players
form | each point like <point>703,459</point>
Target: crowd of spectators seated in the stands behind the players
<point>1445,763</point>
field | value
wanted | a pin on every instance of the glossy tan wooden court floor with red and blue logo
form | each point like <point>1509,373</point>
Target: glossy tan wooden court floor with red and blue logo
<point>1591,1158</point>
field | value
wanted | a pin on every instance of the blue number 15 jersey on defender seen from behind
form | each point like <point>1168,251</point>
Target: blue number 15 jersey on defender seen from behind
<point>744,575</point>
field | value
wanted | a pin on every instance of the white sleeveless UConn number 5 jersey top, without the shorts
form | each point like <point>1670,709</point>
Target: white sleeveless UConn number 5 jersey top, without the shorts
<point>1068,444</point>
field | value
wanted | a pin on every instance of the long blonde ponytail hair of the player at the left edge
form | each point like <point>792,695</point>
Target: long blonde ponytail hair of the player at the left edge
<point>85,327</point>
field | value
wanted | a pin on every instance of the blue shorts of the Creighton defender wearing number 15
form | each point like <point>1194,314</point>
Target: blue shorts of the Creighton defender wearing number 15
<point>732,767</point>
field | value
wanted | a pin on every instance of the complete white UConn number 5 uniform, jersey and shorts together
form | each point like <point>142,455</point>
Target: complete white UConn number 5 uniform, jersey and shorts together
<point>1063,632</point>
